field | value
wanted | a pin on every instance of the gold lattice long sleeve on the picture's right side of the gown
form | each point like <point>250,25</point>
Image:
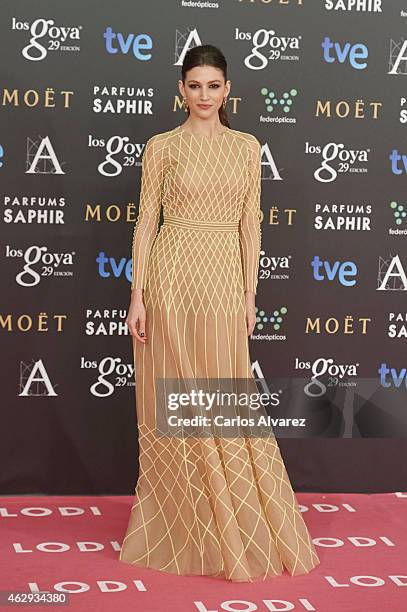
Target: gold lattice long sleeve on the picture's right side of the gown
<point>250,228</point>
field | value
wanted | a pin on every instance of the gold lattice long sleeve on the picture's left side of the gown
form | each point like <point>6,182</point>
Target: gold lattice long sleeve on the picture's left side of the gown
<point>146,226</point>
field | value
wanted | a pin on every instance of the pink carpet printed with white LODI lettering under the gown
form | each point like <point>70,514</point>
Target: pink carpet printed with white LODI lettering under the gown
<point>71,544</point>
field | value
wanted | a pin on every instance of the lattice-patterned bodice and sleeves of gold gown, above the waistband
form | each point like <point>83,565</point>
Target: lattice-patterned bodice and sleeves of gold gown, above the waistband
<point>168,173</point>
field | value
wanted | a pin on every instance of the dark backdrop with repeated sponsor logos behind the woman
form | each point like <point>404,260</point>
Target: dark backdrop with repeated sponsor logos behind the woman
<point>322,84</point>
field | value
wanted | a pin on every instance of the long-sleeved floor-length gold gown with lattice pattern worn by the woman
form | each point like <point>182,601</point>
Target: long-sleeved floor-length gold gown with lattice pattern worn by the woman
<point>205,506</point>
